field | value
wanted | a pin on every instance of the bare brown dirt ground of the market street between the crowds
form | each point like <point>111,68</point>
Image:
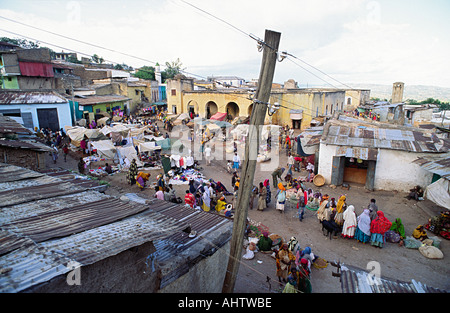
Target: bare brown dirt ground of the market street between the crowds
<point>258,275</point>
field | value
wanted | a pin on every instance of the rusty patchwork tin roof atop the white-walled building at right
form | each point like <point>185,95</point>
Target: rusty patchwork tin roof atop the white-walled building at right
<point>347,131</point>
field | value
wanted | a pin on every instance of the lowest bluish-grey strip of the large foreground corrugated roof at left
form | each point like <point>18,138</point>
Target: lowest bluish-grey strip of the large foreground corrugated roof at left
<point>32,265</point>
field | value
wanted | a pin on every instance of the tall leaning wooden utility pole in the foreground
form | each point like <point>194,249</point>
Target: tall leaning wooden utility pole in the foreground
<point>271,42</point>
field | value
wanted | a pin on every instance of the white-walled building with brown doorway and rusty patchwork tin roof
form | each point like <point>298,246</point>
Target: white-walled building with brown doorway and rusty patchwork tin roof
<point>377,155</point>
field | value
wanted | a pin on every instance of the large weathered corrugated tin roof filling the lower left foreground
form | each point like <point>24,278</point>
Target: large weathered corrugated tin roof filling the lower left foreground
<point>48,223</point>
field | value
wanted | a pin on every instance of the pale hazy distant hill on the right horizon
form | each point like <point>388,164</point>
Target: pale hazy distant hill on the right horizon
<point>416,92</point>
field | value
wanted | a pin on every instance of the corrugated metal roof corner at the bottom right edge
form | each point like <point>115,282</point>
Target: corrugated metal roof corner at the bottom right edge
<point>354,280</point>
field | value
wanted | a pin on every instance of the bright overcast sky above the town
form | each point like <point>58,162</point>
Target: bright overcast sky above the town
<point>351,41</point>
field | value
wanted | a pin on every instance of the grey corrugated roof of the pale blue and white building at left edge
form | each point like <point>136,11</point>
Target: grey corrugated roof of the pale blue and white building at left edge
<point>30,97</point>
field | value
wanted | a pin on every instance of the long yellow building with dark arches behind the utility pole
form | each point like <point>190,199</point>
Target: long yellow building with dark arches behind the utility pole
<point>305,103</point>
